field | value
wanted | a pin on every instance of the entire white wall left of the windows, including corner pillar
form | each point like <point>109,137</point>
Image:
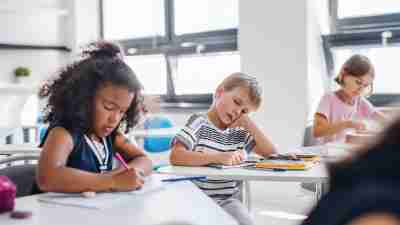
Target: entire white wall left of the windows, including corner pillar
<point>33,24</point>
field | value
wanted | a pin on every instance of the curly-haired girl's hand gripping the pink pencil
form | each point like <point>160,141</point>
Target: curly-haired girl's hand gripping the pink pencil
<point>127,180</point>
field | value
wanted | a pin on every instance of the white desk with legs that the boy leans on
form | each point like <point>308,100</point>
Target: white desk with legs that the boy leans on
<point>317,174</point>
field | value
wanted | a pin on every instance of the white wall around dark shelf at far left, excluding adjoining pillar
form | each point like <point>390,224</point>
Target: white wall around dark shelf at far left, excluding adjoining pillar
<point>29,25</point>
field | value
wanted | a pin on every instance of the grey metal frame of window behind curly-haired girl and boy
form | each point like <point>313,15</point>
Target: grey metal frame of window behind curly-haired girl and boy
<point>172,46</point>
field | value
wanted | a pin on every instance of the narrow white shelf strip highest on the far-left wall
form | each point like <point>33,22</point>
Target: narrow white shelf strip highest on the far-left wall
<point>33,11</point>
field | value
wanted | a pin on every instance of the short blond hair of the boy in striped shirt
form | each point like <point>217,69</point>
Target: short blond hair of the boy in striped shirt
<point>245,81</point>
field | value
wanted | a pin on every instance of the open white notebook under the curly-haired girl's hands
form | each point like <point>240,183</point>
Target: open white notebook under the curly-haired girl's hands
<point>100,200</point>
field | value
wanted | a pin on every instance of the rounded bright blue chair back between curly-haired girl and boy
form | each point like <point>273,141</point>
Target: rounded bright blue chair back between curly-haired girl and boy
<point>157,144</point>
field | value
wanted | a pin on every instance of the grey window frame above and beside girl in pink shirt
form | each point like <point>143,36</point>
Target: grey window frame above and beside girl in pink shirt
<point>358,32</point>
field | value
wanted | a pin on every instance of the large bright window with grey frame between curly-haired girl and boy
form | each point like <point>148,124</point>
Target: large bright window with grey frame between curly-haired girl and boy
<point>180,49</point>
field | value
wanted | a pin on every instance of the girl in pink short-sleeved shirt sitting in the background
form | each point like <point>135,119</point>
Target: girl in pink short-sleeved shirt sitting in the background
<point>344,109</point>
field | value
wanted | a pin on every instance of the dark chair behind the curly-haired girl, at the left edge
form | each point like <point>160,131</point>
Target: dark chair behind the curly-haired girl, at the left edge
<point>23,175</point>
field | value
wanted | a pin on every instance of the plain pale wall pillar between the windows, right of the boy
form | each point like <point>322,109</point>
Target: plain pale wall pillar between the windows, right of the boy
<point>274,43</point>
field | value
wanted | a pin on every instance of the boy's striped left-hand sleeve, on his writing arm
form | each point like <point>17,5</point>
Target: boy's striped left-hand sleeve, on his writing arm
<point>188,135</point>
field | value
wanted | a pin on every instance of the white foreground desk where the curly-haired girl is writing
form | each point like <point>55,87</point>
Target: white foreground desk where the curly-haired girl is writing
<point>180,203</point>
